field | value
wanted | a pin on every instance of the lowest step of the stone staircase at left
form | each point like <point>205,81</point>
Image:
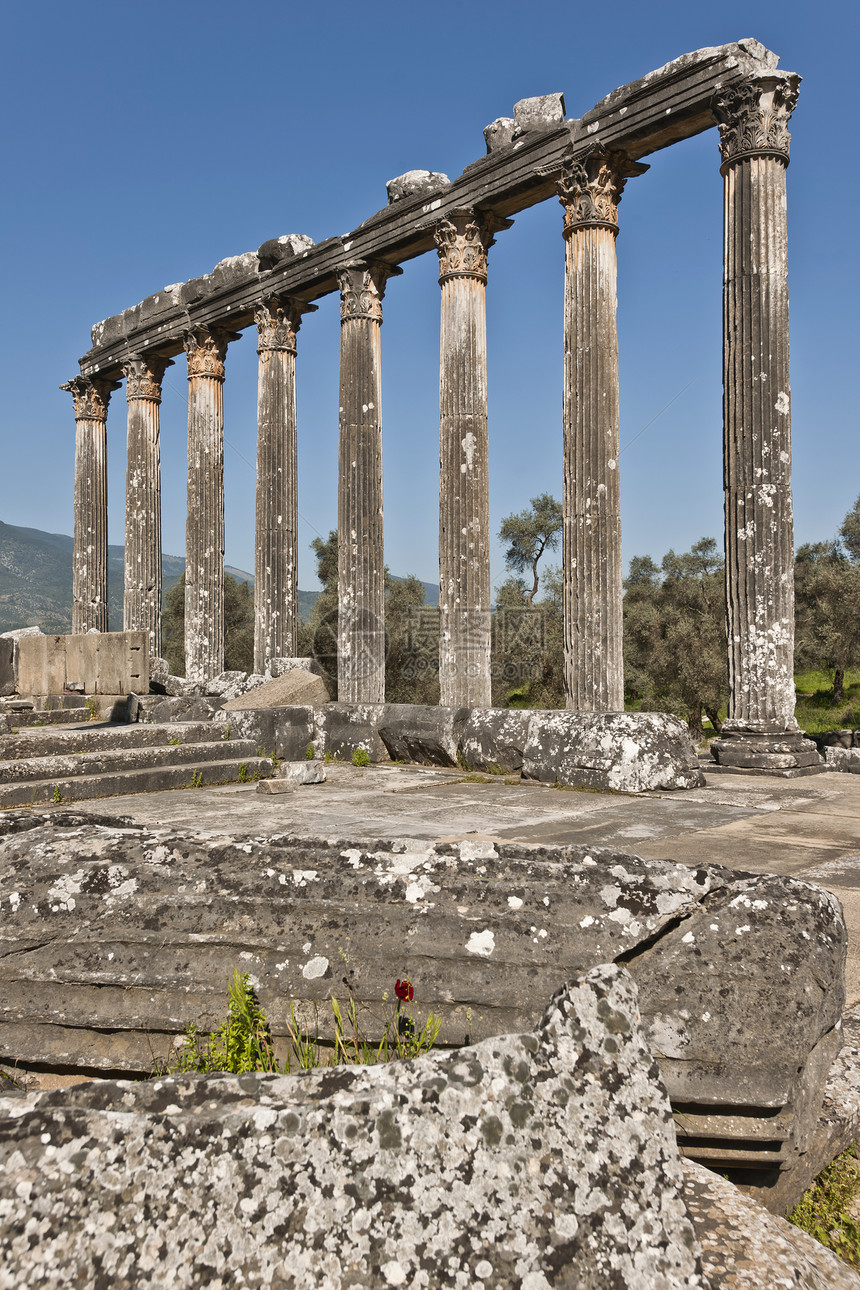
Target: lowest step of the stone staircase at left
<point>39,793</point>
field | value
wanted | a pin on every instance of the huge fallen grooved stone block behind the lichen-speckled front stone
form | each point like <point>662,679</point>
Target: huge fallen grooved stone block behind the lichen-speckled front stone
<point>115,938</point>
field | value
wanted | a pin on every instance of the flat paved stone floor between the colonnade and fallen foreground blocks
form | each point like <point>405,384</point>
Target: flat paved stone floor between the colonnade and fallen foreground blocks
<point>809,829</point>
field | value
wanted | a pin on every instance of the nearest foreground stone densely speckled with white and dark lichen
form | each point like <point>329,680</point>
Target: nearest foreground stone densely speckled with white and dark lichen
<point>541,1159</point>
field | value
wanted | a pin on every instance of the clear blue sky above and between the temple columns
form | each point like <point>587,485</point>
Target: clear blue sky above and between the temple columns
<point>146,145</point>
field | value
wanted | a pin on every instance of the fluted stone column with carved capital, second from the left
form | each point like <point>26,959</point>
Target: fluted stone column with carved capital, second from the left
<point>142,595</point>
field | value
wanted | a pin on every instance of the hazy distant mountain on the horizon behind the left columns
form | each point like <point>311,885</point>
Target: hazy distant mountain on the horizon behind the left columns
<point>37,581</point>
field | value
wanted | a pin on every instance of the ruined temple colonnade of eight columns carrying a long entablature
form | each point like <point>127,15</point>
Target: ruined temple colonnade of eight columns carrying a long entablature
<point>534,157</point>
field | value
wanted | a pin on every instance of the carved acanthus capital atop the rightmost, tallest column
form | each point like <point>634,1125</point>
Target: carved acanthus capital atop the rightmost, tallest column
<point>754,117</point>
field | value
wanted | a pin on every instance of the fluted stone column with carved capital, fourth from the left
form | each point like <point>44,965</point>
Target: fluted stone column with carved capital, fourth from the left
<point>277,559</point>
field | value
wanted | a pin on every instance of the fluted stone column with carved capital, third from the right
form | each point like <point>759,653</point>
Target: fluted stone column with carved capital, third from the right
<point>465,593</point>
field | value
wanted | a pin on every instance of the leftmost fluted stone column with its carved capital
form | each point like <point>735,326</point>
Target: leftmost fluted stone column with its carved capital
<point>90,554</point>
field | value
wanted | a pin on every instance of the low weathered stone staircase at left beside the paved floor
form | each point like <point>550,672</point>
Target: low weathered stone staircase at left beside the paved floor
<point>60,764</point>
